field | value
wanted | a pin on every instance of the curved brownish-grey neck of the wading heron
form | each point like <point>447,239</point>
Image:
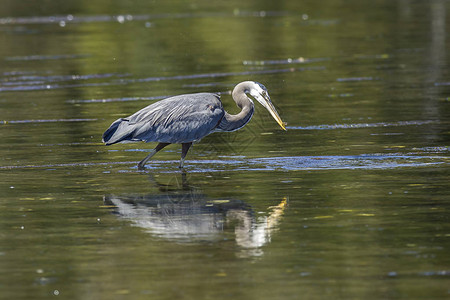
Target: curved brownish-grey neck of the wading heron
<point>231,122</point>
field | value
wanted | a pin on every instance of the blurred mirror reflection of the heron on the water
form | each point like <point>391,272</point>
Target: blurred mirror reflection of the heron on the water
<point>183,213</point>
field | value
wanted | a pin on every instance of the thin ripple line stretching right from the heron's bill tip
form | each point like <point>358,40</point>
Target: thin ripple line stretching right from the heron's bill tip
<point>364,125</point>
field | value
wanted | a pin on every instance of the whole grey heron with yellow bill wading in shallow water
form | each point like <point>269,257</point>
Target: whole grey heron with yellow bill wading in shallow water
<point>185,119</point>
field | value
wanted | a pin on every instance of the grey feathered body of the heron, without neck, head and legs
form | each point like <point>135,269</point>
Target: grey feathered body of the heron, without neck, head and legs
<point>178,119</point>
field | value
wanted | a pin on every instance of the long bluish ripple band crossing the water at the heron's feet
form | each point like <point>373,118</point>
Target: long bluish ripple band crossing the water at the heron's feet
<point>289,163</point>
